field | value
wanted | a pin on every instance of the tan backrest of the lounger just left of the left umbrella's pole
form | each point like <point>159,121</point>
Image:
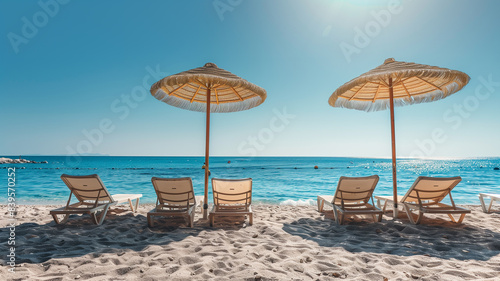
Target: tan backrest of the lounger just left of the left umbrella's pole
<point>174,192</point>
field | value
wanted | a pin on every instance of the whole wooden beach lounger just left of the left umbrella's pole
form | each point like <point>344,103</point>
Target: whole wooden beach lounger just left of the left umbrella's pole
<point>175,198</point>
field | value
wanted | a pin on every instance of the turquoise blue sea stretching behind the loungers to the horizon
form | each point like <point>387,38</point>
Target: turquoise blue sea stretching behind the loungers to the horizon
<point>276,180</point>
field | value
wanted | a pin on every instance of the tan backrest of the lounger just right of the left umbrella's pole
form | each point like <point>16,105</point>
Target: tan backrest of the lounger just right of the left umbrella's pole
<point>232,193</point>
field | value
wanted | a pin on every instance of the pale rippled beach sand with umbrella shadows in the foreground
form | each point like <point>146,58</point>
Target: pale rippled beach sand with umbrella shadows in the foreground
<point>285,243</point>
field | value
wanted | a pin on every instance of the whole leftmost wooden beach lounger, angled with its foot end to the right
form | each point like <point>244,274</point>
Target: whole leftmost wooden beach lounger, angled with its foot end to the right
<point>93,198</point>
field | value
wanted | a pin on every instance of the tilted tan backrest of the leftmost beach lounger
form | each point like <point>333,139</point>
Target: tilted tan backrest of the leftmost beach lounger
<point>88,189</point>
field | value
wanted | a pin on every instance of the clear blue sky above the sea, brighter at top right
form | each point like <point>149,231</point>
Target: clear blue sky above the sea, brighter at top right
<point>66,67</point>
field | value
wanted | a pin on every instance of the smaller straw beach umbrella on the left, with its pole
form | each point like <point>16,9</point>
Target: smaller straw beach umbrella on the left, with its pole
<point>208,89</point>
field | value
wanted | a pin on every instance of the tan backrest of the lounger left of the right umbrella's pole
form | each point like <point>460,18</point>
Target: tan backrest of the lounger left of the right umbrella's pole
<point>355,190</point>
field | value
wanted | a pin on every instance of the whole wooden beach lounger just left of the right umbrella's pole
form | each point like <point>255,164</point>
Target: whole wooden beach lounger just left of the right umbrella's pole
<point>352,198</point>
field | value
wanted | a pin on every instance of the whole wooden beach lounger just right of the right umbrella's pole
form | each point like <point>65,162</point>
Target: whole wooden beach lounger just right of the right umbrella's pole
<point>425,196</point>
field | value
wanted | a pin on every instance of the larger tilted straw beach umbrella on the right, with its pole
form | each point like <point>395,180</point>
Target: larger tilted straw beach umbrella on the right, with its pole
<point>395,84</point>
